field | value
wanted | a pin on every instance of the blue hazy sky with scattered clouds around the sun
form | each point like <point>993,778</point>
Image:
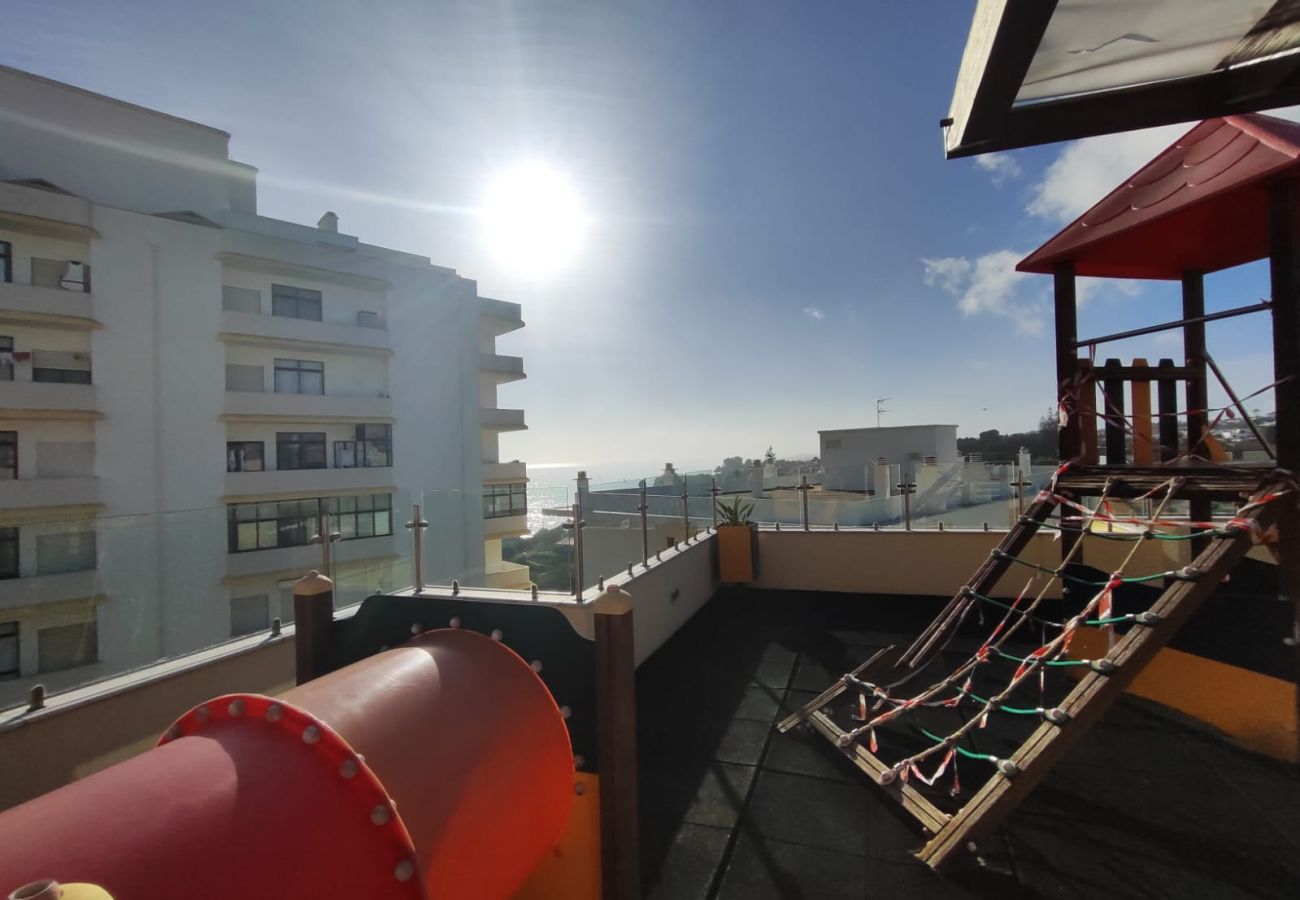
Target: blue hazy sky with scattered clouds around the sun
<point>774,239</point>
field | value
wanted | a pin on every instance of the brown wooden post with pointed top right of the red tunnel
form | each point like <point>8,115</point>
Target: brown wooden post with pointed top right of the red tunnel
<point>617,746</point>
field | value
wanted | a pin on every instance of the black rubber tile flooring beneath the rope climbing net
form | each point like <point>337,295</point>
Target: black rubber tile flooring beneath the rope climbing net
<point>1149,806</point>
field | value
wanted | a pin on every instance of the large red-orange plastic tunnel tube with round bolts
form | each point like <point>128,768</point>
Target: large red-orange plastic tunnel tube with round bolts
<point>439,769</point>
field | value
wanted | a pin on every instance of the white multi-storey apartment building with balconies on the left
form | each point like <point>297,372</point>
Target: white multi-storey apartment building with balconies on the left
<point>187,386</point>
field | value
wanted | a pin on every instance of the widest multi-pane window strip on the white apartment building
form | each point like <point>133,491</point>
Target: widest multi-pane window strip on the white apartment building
<point>297,522</point>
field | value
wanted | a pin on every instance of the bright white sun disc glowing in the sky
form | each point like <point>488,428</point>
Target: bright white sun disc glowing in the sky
<point>534,220</point>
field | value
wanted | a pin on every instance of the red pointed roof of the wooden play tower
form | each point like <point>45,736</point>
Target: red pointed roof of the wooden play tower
<point>1201,205</point>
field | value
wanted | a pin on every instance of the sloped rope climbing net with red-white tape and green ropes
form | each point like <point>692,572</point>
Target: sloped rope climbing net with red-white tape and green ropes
<point>878,708</point>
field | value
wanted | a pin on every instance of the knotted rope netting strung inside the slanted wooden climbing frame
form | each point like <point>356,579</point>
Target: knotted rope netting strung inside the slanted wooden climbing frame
<point>1016,670</point>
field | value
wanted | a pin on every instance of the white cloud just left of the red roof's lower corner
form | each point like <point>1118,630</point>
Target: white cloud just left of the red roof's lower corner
<point>990,285</point>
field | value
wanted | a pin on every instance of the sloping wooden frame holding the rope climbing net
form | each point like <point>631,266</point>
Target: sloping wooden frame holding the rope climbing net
<point>1091,698</point>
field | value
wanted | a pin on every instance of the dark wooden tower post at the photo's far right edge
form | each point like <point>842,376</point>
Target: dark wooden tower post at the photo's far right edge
<point>1285,280</point>
